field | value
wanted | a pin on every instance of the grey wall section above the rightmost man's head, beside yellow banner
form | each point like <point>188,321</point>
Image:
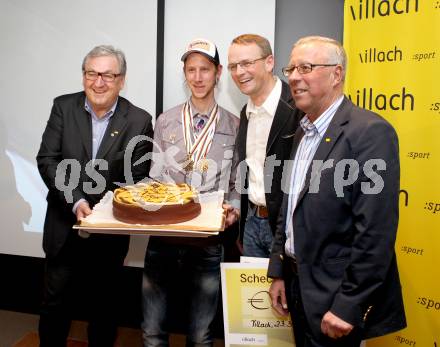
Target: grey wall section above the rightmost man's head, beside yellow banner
<point>298,18</point>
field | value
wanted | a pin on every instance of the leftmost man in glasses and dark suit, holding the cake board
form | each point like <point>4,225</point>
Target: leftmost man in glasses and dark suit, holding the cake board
<point>82,157</point>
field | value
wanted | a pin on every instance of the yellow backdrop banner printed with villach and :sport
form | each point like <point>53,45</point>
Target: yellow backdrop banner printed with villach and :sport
<point>393,69</point>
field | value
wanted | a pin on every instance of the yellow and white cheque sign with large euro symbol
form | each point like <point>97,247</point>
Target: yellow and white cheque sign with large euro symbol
<point>249,319</point>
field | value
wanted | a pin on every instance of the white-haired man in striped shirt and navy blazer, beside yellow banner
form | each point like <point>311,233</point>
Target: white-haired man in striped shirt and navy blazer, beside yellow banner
<point>333,259</point>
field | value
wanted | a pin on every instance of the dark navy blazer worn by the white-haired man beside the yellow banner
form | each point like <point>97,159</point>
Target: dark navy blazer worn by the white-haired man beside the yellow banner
<point>345,234</point>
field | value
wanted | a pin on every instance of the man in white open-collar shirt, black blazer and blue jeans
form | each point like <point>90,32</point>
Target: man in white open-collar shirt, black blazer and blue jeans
<point>267,124</point>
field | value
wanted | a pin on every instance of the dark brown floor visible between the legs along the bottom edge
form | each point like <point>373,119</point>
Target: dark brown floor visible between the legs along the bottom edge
<point>20,330</point>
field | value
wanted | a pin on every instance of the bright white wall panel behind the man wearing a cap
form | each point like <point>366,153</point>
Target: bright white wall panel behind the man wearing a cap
<point>220,22</point>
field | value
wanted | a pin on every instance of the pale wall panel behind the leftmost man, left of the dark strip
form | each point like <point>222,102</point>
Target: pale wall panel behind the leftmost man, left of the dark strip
<point>42,46</point>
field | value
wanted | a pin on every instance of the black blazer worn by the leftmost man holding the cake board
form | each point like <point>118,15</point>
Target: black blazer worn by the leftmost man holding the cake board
<point>68,135</point>
